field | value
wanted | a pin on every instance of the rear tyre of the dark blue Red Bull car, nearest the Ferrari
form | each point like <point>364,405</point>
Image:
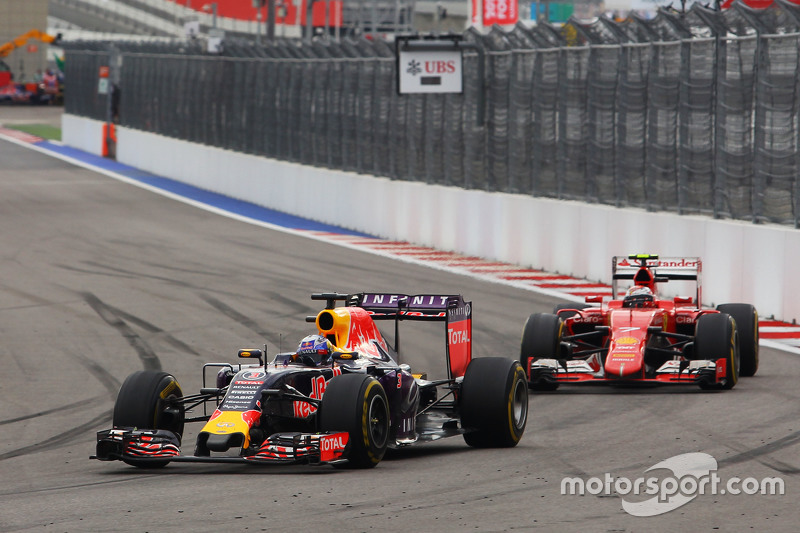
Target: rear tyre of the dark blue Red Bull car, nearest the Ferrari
<point>494,403</point>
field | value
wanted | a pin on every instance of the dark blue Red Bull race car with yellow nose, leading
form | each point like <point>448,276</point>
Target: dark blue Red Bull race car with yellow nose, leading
<point>341,398</point>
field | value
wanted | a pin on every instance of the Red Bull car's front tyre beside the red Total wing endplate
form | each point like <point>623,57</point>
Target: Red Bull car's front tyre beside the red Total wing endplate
<point>357,404</point>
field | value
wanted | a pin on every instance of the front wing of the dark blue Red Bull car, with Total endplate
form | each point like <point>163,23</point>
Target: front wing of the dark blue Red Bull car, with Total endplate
<point>157,446</point>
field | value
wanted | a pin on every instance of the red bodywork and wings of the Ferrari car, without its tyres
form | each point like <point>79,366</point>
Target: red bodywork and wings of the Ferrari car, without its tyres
<point>614,343</point>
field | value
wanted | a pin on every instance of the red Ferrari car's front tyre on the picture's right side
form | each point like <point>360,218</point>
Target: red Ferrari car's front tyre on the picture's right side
<point>716,338</point>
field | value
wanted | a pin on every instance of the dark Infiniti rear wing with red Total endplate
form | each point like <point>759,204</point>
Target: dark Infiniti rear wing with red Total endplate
<point>448,308</point>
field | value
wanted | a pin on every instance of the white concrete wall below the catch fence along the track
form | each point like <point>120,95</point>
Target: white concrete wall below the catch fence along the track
<point>743,262</point>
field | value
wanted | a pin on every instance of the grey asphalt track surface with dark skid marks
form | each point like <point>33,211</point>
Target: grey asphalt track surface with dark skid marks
<point>100,279</point>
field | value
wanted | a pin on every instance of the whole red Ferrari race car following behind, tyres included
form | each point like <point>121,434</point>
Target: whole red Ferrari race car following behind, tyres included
<point>642,338</point>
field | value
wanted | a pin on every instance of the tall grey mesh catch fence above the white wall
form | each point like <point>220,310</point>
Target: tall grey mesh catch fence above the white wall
<point>694,113</point>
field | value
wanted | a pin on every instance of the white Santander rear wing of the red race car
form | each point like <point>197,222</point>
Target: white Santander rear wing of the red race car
<point>648,268</point>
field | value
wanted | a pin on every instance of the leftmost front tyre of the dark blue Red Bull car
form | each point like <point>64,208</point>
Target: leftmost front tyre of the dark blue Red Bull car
<point>143,402</point>
